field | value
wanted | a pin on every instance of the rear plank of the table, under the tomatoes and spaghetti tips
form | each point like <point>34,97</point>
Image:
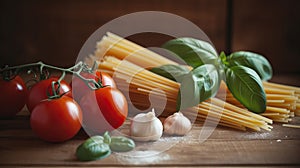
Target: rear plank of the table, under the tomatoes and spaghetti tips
<point>20,128</point>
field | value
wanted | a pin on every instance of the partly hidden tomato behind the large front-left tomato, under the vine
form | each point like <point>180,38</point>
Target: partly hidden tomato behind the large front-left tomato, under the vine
<point>39,91</point>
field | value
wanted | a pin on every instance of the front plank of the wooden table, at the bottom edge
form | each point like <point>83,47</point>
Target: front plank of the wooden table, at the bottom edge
<point>34,152</point>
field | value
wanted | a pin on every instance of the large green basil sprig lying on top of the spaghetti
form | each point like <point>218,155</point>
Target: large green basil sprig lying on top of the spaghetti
<point>242,70</point>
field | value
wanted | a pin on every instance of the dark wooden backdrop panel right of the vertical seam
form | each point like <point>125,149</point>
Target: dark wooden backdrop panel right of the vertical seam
<point>271,28</point>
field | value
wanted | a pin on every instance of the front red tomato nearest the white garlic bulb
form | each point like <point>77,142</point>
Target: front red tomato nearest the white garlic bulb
<point>103,110</point>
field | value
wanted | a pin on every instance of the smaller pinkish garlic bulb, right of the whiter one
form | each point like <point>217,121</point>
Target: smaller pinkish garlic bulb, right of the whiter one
<point>177,124</point>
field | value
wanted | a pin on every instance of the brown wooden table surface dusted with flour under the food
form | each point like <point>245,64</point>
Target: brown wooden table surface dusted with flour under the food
<point>224,147</point>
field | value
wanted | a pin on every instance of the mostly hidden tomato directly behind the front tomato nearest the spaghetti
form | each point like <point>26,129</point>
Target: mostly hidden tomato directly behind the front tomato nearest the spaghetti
<point>79,88</point>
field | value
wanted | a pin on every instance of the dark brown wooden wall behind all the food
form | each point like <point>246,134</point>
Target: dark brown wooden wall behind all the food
<point>54,30</point>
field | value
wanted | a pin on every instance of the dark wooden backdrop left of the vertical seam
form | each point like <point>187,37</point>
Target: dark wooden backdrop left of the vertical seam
<point>54,31</point>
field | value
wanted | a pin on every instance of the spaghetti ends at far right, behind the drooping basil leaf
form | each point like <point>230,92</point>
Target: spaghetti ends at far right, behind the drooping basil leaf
<point>281,102</point>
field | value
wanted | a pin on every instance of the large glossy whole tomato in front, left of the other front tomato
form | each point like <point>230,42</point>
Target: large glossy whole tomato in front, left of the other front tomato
<point>56,120</point>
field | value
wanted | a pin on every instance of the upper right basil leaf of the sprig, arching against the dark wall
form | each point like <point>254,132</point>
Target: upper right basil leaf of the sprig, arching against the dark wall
<point>252,60</point>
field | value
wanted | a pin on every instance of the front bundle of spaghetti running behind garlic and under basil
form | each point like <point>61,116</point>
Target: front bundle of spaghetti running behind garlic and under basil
<point>139,83</point>
